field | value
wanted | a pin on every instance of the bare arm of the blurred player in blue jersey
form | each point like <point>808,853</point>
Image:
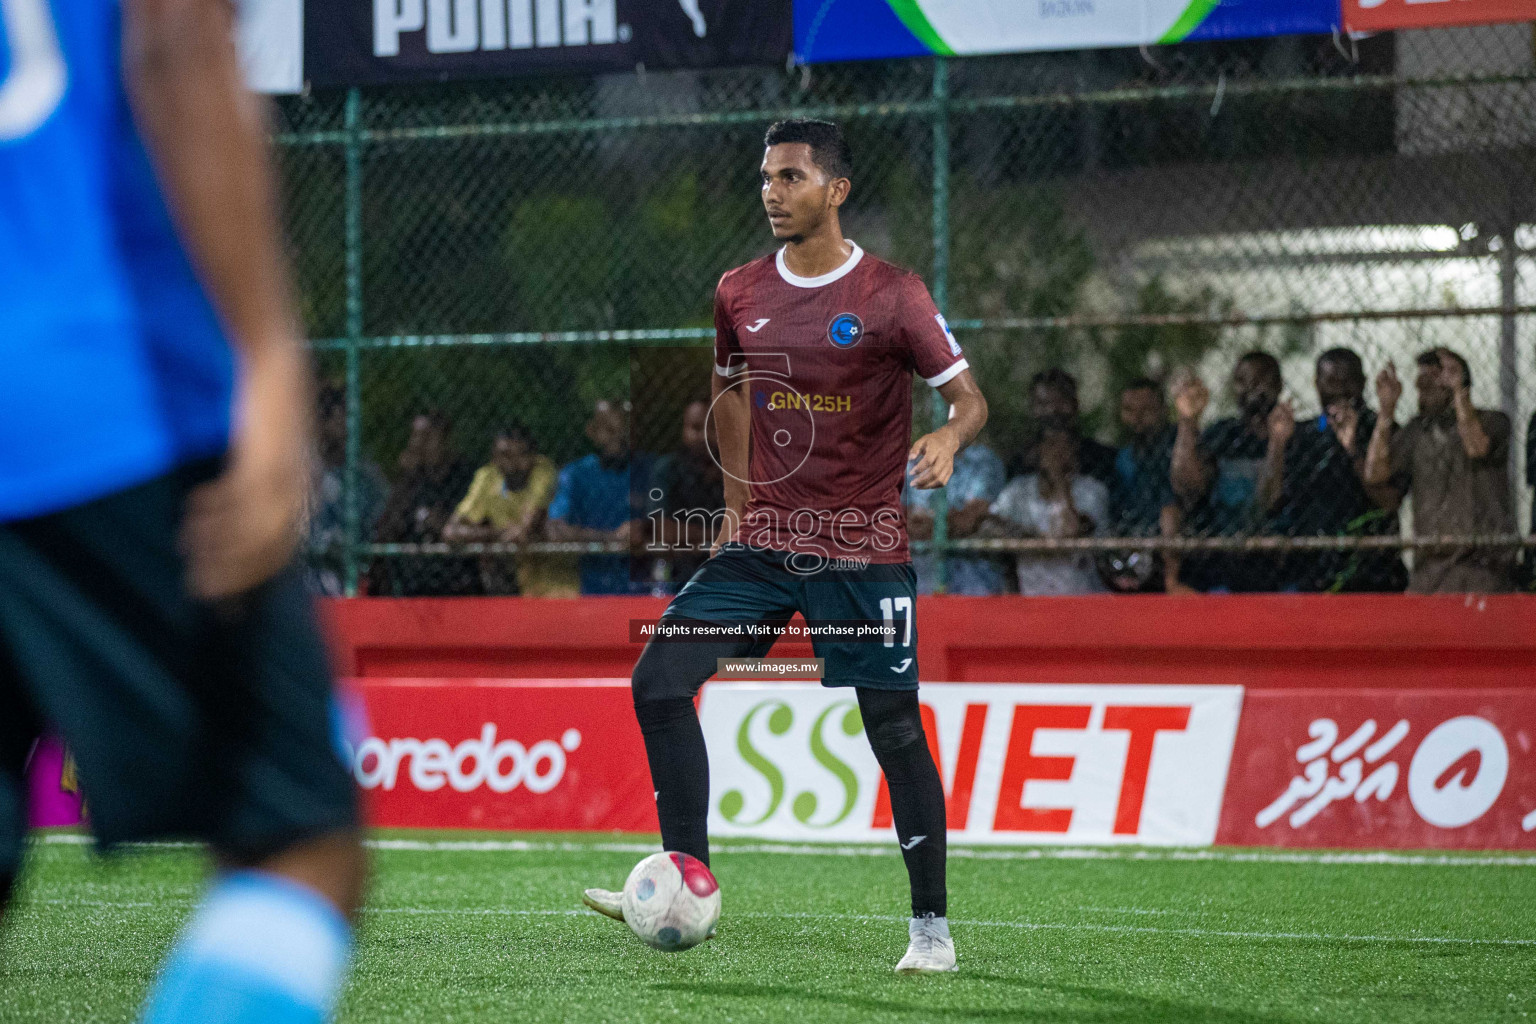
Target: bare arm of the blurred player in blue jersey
<point>207,137</point>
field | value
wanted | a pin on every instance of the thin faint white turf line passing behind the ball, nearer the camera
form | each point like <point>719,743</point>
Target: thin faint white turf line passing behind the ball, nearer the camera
<point>1022,927</point>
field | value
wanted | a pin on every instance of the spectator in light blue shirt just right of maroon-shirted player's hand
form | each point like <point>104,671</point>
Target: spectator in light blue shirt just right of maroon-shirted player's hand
<point>978,481</point>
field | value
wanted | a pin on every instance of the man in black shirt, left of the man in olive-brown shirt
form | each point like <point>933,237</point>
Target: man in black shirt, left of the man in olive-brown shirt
<point>1323,489</point>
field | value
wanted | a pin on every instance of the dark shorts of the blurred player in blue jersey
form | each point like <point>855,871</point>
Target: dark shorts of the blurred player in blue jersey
<point>187,721</point>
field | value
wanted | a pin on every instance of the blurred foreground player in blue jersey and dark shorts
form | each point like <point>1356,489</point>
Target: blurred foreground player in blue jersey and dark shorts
<point>154,429</point>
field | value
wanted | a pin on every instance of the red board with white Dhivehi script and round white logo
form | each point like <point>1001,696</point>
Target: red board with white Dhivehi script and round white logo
<point>1385,770</point>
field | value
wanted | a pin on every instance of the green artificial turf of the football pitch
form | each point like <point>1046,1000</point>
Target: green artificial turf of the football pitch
<point>500,936</point>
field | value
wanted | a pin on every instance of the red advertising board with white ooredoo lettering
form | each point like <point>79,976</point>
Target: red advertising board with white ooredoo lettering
<point>503,755</point>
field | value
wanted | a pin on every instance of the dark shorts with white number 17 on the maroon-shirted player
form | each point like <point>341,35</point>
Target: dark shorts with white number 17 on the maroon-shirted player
<point>746,586</point>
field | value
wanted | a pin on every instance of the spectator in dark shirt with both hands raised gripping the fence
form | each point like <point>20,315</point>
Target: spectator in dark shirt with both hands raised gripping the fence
<point>1225,477</point>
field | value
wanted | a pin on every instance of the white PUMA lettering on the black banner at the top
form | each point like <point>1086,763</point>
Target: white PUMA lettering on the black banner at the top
<point>463,27</point>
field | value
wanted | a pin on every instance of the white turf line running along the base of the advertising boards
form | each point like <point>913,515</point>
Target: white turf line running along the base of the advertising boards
<point>958,853</point>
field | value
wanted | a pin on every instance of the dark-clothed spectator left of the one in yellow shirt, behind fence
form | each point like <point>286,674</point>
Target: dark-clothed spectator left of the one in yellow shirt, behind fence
<point>431,480</point>
